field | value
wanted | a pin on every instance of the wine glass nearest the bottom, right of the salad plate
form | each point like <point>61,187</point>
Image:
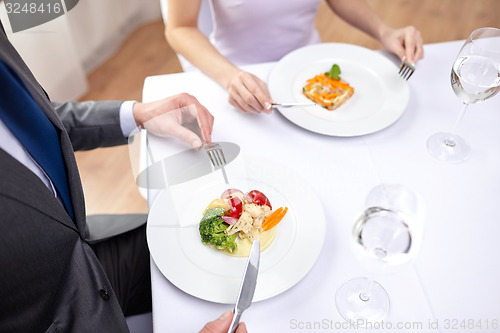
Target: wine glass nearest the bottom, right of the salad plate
<point>388,233</point>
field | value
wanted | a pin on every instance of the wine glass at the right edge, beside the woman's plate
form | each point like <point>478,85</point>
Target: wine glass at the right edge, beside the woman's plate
<point>475,77</point>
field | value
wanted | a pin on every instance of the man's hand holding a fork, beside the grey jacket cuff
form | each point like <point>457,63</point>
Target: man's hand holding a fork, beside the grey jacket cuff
<point>180,116</point>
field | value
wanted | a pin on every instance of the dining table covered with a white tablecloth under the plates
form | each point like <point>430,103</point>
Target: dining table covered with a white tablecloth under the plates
<point>451,285</point>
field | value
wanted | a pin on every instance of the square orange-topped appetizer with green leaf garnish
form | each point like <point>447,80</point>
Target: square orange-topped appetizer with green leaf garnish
<point>328,89</point>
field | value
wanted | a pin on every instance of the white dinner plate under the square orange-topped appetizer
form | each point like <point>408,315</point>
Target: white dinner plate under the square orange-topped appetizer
<point>380,94</point>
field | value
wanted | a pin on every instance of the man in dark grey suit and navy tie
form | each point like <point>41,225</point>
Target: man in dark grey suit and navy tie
<point>52,277</point>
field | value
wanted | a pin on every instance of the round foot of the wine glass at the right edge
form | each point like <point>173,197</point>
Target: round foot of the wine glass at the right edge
<point>448,147</point>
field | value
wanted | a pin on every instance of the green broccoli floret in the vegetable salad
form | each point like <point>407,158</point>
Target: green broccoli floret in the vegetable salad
<point>212,229</point>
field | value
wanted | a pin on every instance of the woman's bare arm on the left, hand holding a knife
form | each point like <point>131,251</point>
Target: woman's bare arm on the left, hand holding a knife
<point>246,92</point>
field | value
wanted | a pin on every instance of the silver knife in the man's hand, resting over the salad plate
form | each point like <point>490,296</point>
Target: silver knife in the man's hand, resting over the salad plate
<point>248,284</point>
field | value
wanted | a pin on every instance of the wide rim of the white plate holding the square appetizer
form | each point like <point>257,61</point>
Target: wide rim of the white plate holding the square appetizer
<point>395,87</point>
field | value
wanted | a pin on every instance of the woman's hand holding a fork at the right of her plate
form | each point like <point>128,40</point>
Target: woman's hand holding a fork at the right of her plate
<point>406,43</point>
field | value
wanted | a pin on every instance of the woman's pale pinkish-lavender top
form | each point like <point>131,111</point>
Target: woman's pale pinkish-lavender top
<point>254,31</point>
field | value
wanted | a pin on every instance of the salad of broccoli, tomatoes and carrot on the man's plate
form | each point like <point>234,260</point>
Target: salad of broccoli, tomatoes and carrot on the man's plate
<point>232,222</point>
